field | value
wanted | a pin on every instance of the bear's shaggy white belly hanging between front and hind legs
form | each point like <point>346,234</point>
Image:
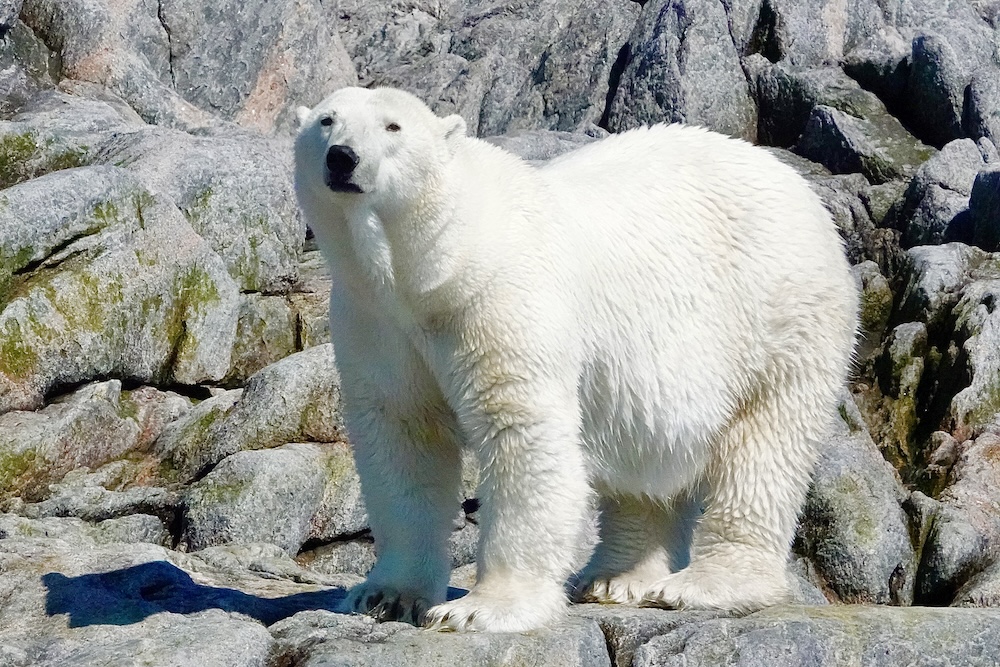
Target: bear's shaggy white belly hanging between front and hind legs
<point>641,436</point>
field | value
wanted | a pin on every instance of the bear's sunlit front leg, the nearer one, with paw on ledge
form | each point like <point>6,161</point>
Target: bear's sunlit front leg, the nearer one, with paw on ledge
<point>534,495</point>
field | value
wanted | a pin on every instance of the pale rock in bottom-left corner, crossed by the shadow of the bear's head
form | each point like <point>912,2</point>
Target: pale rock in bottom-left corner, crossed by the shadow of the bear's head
<point>79,603</point>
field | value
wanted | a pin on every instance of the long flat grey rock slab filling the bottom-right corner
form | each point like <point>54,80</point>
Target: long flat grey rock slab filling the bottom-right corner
<point>831,635</point>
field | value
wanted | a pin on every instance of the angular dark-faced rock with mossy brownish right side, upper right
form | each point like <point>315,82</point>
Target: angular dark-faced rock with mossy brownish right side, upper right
<point>878,148</point>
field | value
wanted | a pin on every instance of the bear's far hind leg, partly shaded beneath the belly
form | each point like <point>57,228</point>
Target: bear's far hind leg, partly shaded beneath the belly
<point>641,542</point>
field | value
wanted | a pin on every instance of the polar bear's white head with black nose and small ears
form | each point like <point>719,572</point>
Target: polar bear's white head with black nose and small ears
<point>380,145</point>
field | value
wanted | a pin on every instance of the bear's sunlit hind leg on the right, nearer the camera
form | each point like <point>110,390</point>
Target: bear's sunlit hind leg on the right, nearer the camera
<point>757,483</point>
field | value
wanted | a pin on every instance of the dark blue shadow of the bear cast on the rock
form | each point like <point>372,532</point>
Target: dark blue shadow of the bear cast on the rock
<point>129,595</point>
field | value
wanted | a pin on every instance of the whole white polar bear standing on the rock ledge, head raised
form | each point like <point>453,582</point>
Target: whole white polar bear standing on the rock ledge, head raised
<point>664,318</point>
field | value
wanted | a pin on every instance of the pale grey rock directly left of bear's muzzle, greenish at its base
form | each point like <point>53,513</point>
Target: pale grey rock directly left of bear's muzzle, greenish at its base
<point>236,191</point>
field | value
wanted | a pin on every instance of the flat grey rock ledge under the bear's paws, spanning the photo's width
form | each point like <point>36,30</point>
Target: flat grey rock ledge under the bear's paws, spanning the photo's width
<point>71,594</point>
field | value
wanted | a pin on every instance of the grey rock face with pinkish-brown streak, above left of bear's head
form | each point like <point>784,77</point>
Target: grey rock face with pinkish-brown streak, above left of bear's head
<point>288,55</point>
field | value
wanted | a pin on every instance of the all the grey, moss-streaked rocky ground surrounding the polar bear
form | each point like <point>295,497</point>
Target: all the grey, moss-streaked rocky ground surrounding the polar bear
<point>176,485</point>
